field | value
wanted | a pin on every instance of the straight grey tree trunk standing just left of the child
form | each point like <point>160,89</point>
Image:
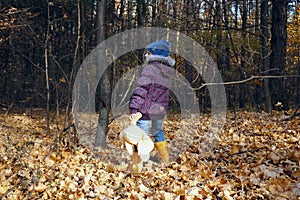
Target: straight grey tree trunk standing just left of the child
<point>105,87</point>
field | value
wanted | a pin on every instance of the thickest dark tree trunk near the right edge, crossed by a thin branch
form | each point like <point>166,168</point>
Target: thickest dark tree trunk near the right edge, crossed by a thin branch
<point>278,48</point>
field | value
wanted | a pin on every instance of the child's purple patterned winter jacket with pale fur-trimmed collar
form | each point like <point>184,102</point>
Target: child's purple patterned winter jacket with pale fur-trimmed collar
<point>153,86</point>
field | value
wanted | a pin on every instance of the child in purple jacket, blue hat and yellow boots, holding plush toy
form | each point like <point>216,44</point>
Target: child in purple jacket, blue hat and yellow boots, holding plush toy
<point>151,97</point>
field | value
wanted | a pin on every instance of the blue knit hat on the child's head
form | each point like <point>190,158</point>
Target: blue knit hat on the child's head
<point>161,48</point>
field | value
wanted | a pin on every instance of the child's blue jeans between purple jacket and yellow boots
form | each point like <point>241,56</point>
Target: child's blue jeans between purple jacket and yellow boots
<point>156,128</point>
